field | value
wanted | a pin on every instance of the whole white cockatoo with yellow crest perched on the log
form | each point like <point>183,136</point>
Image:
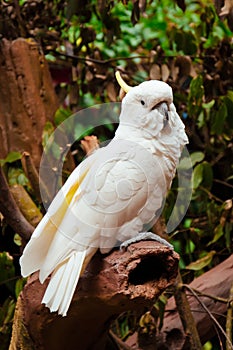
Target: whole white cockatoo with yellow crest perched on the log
<point>110,197</point>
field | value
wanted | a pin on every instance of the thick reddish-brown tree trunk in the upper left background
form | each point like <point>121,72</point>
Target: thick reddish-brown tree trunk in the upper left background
<point>27,98</point>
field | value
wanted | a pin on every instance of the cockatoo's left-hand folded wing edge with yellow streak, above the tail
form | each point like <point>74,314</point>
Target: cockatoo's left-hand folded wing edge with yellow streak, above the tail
<point>38,247</point>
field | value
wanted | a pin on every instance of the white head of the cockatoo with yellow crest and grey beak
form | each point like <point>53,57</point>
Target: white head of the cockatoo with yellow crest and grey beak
<point>149,106</point>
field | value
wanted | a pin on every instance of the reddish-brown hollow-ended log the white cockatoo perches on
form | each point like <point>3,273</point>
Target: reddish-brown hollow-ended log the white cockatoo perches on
<point>112,284</point>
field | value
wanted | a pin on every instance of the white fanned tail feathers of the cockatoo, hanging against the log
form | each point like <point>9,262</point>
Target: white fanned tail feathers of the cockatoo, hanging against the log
<point>63,282</point>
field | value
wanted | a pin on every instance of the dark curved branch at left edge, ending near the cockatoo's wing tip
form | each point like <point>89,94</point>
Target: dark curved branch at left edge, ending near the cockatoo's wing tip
<point>11,212</point>
